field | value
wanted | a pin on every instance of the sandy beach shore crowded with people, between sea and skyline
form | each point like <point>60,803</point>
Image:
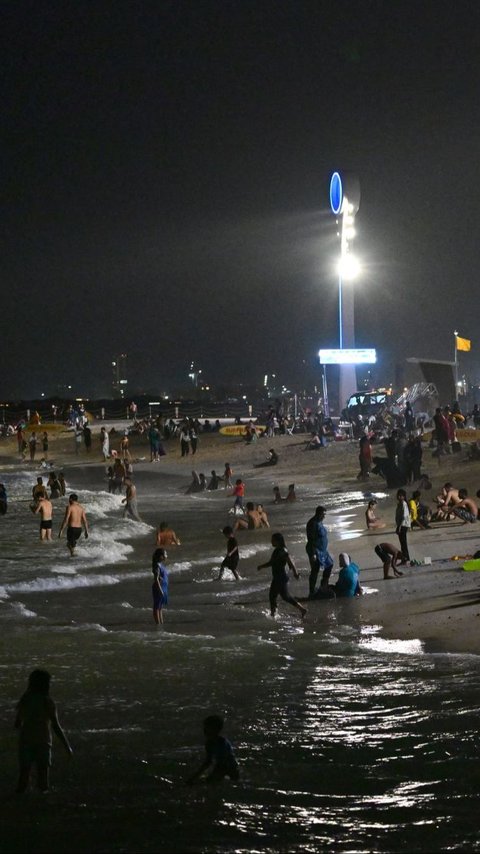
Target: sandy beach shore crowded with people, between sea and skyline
<point>438,604</point>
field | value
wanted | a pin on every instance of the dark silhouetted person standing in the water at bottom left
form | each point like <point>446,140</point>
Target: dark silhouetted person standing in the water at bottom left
<point>36,718</point>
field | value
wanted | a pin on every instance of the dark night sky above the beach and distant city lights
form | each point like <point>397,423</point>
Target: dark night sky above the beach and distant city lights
<point>165,185</point>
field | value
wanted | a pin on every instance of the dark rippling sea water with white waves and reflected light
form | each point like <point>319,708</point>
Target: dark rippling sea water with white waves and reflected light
<point>346,741</point>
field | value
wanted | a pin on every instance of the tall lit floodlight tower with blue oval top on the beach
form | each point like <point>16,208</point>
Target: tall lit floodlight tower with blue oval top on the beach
<point>344,202</point>
